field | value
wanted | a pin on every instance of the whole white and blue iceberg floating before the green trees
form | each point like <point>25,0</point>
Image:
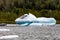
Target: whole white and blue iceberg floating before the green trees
<point>30,19</point>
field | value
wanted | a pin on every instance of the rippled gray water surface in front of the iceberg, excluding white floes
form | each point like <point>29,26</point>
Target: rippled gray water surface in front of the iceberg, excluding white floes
<point>33,32</point>
